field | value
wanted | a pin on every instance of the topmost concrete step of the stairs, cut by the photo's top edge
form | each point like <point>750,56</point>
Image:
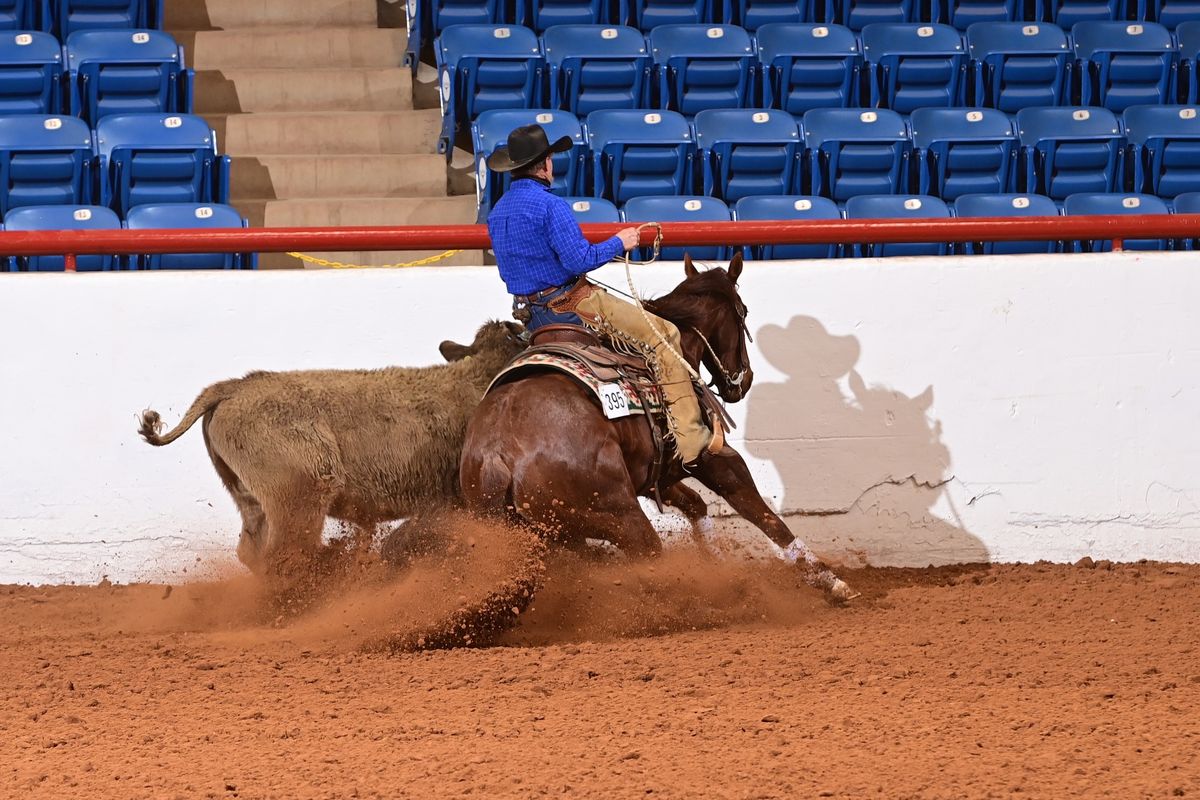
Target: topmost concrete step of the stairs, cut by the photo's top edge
<point>209,15</point>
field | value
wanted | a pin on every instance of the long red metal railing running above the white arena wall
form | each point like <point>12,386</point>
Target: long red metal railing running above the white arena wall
<point>281,240</point>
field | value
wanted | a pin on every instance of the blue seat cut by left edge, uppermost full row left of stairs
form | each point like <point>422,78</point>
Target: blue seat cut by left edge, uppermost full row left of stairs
<point>31,74</point>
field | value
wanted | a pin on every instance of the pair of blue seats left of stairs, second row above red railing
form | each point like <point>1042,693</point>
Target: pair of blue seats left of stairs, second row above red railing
<point>129,160</point>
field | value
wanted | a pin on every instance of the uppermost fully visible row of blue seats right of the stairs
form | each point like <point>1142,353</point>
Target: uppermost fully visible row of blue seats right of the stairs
<point>797,68</point>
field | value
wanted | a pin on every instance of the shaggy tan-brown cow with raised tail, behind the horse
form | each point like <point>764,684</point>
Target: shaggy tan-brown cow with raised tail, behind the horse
<point>359,446</point>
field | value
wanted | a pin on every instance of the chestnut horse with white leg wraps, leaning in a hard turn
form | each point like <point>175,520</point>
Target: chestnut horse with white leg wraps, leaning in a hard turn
<point>541,452</point>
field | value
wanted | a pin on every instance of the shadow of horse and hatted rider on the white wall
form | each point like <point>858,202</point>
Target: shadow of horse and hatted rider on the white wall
<point>861,471</point>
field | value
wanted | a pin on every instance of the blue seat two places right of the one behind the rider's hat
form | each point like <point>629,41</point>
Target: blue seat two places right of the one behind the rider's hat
<point>747,152</point>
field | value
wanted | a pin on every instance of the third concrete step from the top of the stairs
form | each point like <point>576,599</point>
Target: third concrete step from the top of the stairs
<point>229,92</point>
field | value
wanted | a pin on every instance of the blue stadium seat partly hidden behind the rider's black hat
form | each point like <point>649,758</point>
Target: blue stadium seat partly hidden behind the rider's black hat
<point>490,134</point>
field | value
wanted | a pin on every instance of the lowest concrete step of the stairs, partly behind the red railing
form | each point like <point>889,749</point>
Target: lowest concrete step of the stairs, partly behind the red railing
<point>363,212</point>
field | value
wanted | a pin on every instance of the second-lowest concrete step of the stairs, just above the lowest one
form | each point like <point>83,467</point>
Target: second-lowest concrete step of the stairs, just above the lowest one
<point>262,178</point>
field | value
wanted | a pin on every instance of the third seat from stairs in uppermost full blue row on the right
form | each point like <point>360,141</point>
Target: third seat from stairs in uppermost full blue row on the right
<point>703,67</point>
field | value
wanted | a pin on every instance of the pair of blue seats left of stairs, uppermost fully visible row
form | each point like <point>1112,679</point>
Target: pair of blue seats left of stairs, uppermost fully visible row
<point>98,73</point>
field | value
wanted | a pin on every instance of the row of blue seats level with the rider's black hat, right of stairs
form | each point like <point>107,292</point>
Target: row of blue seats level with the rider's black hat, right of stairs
<point>839,154</point>
